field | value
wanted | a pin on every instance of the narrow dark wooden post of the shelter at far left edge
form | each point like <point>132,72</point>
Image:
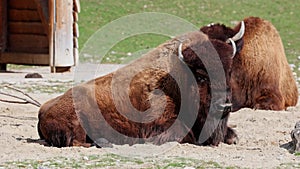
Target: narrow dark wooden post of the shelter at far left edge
<point>3,30</point>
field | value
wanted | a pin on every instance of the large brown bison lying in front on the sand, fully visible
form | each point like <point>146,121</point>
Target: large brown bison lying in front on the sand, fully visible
<point>179,91</point>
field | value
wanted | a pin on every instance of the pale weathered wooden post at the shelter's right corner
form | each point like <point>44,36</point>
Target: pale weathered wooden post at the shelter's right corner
<point>61,35</point>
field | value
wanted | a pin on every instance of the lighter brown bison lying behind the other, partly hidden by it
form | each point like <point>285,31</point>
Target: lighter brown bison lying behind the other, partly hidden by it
<point>261,76</point>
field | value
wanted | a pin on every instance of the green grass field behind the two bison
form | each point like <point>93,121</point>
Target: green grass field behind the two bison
<point>284,14</point>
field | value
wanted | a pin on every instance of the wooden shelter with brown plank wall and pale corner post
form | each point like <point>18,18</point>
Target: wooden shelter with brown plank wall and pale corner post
<point>39,32</point>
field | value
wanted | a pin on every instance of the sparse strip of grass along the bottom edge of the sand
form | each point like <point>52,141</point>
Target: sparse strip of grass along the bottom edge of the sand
<point>113,160</point>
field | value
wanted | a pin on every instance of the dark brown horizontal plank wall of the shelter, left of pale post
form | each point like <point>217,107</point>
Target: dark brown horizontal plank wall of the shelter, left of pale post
<point>26,32</point>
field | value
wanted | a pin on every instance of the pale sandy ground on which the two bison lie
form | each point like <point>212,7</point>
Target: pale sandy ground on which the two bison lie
<point>261,133</point>
